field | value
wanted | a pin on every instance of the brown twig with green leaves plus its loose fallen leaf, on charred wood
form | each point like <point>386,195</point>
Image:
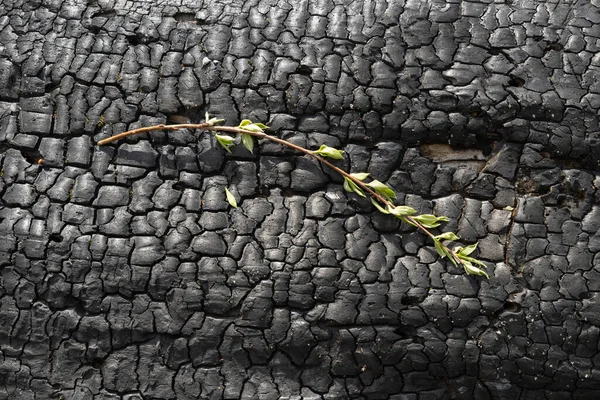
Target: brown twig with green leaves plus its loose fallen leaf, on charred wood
<point>382,196</point>
